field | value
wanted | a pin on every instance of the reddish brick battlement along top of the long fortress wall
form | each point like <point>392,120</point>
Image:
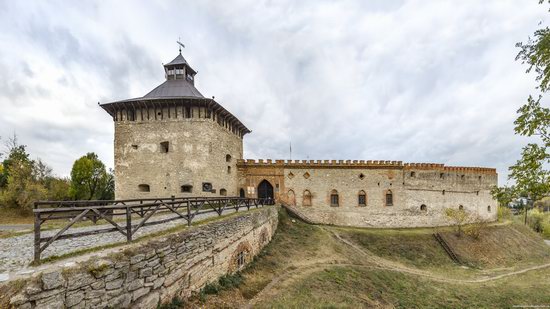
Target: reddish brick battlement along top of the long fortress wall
<point>359,164</point>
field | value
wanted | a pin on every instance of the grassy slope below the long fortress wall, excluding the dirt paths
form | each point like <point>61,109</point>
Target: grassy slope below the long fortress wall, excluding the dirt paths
<point>297,245</point>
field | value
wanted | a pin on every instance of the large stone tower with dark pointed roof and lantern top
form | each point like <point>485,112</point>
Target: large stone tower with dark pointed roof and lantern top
<point>175,142</point>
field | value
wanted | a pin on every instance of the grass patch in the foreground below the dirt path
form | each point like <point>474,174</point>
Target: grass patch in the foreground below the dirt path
<point>354,287</point>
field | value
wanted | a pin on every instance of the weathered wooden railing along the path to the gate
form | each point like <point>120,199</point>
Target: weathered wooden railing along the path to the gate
<point>119,214</point>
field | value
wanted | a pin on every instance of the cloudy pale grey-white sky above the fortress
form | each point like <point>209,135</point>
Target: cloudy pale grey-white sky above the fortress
<point>411,80</point>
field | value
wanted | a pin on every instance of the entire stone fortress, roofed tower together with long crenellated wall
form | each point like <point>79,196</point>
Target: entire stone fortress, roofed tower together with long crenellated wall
<point>175,142</point>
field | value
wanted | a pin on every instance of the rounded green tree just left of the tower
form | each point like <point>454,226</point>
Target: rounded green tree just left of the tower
<point>89,179</point>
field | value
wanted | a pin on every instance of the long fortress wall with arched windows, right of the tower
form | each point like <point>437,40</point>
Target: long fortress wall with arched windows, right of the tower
<point>420,192</point>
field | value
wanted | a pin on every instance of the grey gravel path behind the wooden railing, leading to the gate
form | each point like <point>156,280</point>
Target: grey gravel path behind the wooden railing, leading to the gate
<point>17,252</point>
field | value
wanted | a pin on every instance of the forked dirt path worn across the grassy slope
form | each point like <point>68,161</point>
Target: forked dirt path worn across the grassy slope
<point>296,272</point>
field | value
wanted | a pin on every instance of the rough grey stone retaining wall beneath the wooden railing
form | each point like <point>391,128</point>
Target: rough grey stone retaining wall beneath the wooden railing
<point>148,273</point>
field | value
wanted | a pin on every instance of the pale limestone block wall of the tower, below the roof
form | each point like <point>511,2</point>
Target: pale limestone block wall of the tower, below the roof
<point>199,151</point>
